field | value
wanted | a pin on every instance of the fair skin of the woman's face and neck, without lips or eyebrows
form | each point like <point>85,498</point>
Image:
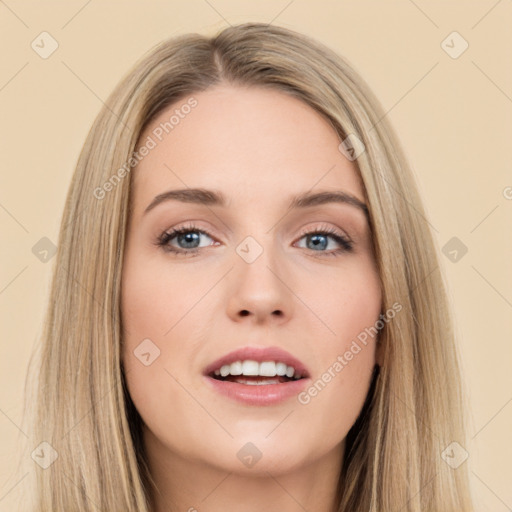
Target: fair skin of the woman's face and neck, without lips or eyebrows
<point>259,148</point>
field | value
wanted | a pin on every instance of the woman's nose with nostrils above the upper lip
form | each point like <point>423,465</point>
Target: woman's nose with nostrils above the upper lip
<point>260,292</point>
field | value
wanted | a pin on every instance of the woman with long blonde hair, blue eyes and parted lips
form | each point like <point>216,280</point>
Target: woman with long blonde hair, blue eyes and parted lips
<point>246,311</point>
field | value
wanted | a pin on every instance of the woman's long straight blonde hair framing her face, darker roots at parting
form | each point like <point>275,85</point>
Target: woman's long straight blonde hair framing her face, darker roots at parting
<point>78,395</point>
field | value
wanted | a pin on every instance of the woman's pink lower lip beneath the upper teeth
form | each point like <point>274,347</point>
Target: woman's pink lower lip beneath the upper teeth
<point>262,394</point>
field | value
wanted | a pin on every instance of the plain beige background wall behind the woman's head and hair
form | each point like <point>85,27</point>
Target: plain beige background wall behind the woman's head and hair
<point>453,115</point>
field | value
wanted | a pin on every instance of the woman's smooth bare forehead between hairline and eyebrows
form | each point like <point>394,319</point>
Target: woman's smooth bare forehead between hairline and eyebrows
<point>256,145</point>
